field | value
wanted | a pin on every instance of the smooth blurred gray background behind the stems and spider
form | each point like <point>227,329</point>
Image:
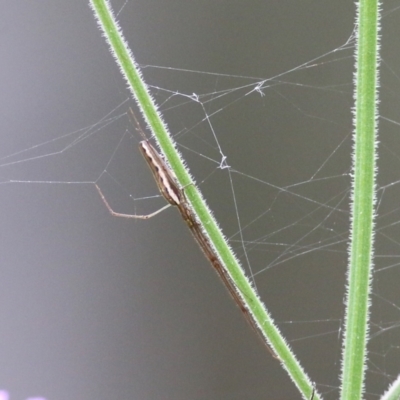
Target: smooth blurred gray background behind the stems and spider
<point>95,307</point>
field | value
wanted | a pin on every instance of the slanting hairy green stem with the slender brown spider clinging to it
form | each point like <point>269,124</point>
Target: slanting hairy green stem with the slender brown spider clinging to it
<point>264,321</point>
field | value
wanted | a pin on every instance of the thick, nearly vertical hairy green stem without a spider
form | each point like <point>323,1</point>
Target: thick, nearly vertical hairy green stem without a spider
<point>363,198</point>
